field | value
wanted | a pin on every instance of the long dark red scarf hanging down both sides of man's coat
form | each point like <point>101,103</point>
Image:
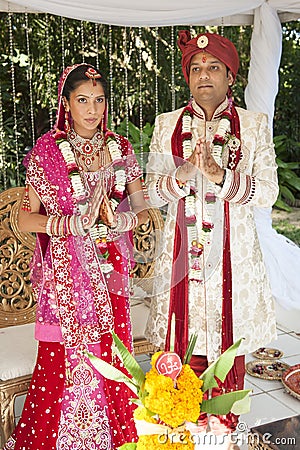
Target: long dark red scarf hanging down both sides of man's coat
<point>179,286</point>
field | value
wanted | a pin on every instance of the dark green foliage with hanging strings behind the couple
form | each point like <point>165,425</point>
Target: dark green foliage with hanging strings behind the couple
<point>36,47</point>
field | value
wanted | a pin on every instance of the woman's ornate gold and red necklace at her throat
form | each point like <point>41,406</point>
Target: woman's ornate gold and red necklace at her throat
<point>88,149</point>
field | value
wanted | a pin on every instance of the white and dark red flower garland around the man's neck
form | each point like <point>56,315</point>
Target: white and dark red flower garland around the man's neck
<point>197,241</point>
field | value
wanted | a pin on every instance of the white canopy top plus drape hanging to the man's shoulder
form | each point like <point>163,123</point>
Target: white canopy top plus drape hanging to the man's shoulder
<point>265,44</point>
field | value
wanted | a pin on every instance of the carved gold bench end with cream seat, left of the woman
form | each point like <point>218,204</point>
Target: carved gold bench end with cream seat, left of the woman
<point>17,311</point>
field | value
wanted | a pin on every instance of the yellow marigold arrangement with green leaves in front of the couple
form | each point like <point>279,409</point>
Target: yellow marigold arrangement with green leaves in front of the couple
<point>170,395</point>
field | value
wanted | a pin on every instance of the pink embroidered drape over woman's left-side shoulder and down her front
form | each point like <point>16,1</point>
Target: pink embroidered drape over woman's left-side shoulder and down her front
<point>80,277</point>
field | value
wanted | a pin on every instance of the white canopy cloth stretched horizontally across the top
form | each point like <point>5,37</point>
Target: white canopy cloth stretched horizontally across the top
<point>151,13</point>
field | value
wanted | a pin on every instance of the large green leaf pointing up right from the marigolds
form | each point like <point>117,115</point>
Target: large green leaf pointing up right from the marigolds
<point>220,367</point>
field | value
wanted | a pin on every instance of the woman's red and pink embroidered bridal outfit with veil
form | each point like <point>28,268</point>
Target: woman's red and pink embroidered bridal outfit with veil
<point>69,404</point>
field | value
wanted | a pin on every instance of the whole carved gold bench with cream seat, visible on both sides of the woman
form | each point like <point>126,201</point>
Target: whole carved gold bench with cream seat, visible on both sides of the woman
<point>18,348</point>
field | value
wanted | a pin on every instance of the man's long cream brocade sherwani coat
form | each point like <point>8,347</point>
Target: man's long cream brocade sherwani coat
<point>253,183</point>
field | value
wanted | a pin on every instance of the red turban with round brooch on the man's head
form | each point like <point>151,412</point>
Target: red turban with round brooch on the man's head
<point>215,44</point>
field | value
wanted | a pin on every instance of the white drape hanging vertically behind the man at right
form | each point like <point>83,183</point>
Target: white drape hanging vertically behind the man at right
<point>281,256</point>
